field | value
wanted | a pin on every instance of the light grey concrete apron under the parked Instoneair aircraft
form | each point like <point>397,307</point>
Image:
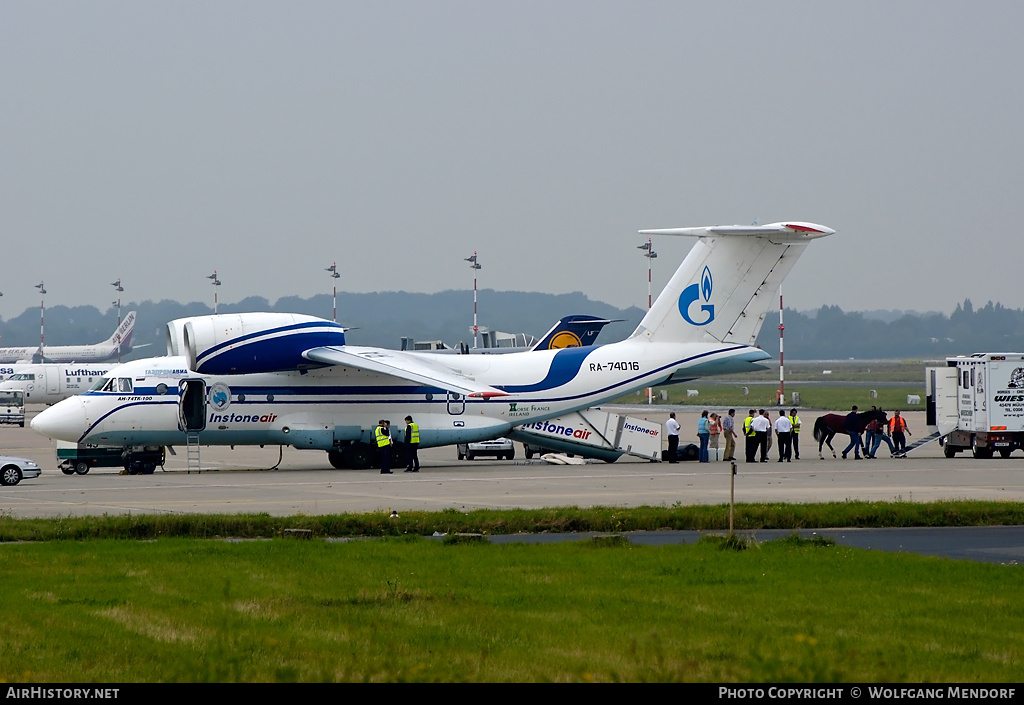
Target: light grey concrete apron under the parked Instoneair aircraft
<point>238,482</point>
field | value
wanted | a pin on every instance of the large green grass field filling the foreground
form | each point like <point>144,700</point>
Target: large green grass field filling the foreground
<point>186,610</point>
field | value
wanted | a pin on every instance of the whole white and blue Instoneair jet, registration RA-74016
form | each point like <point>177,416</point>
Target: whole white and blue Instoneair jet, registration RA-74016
<point>291,380</point>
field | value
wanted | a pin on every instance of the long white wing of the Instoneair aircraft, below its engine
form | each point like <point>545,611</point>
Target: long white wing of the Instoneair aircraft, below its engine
<point>413,367</point>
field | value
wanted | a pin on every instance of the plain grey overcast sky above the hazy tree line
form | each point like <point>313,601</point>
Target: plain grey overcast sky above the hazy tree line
<point>159,142</point>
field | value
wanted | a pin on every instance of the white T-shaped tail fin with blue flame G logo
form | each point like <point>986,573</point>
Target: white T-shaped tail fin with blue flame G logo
<point>726,287</point>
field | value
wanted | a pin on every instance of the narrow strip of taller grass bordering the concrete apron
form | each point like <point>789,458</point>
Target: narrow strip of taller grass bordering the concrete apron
<point>777,516</point>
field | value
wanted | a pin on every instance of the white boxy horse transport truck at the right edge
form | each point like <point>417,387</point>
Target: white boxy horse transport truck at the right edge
<point>977,404</point>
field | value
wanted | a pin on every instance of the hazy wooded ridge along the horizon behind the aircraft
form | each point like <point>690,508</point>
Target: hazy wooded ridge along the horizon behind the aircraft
<point>381,319</point>
